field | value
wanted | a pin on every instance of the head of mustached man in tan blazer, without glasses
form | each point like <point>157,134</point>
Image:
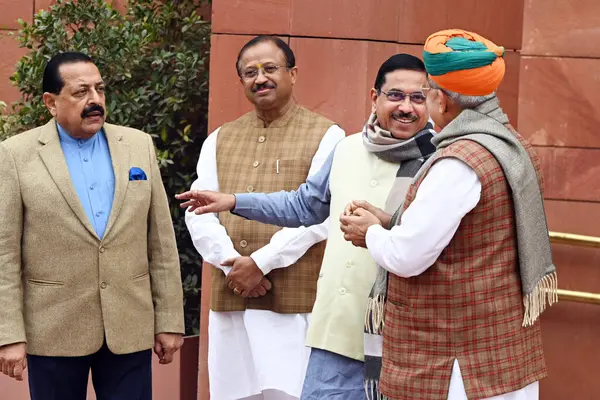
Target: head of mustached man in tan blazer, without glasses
<point>80,105</point>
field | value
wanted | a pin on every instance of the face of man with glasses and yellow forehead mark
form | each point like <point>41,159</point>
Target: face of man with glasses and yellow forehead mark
<point>267,82</point>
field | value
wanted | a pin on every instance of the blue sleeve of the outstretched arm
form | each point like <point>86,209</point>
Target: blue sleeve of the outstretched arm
<point>309,205</point>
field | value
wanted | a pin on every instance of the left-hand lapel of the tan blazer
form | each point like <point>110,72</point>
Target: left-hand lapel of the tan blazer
<point>54,159</point>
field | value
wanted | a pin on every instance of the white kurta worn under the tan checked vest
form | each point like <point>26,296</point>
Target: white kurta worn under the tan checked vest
<point>255,352</point>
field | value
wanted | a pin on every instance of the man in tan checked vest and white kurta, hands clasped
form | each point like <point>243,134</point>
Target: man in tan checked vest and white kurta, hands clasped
<point>264,279</point>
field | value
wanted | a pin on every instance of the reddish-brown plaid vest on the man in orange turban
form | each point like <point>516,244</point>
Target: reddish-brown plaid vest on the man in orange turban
<point>468,306</point>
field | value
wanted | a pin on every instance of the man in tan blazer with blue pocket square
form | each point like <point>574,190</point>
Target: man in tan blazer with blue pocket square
<point>89,269</point>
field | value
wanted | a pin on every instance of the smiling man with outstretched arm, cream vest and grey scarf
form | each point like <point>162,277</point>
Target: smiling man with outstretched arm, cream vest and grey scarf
<point>395,141</point>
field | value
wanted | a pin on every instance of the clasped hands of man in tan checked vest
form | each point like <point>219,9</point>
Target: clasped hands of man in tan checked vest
<point>245,278</point>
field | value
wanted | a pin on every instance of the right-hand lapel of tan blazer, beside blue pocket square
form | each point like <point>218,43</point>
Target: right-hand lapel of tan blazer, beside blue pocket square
<point>119,153</point>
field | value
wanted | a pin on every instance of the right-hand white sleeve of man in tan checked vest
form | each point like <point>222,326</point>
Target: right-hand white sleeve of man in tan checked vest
<point>289,244</point>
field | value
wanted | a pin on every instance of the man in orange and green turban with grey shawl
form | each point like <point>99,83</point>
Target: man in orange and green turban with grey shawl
<point>465,264</point>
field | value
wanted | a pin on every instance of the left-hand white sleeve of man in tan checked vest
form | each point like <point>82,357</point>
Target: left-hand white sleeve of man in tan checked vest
<point>208,235</point>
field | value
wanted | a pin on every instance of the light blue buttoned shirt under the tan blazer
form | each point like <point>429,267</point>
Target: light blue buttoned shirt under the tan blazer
<point>92,175</point>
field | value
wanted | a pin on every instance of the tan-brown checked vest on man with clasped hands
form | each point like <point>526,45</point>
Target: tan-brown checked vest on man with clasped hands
<point>252,158</point>
